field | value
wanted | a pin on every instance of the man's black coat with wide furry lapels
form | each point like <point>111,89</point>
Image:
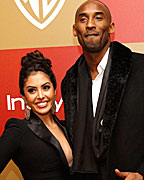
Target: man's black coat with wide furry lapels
<point>123,117</point>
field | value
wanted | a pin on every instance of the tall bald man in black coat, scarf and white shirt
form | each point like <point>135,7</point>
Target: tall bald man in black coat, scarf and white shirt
<point>103,100</point>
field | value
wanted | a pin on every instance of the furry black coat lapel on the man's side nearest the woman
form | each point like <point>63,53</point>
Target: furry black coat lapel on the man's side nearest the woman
<point>69,91</point>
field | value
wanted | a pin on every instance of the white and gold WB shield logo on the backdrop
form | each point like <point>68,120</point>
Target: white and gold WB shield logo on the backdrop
<point>40,12</point>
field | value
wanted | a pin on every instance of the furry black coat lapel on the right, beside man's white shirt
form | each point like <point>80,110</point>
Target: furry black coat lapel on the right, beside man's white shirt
<point>119,72</point>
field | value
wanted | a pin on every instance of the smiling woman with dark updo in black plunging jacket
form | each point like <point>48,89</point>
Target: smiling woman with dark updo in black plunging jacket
<point>39,144</point>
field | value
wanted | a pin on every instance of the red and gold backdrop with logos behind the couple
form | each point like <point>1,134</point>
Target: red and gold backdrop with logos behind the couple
<point>46,25</point>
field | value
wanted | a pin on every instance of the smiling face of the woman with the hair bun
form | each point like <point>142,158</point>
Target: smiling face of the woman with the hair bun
<point>39,93</point>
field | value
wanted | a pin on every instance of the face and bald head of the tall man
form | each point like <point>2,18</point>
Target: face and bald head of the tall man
<point>93,26</point>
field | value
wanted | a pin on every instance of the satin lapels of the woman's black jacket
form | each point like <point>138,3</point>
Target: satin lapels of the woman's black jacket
<point>38,128</point>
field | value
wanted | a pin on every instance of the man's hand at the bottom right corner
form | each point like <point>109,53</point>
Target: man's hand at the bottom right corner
<point>129,175</point>
